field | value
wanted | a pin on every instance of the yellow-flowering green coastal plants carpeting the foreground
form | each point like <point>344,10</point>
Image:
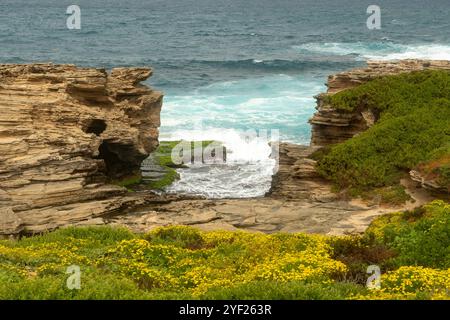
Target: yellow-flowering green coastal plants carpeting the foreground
<point>411,248</point>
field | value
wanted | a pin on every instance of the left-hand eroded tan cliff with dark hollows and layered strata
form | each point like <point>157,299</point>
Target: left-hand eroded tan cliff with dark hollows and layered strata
<point>64,132</point>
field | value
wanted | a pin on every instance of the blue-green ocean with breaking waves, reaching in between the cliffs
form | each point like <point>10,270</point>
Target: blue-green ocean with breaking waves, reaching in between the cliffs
<point>227,66</point>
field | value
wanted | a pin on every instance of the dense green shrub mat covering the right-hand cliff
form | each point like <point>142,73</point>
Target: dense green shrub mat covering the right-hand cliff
<point>414,122</point>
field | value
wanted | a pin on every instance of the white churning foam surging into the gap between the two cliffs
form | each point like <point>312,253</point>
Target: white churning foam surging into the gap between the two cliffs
<point>247,172</point>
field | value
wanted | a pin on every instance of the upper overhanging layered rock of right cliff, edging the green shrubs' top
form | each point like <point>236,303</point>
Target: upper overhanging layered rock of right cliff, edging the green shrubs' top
<point>330,126</point>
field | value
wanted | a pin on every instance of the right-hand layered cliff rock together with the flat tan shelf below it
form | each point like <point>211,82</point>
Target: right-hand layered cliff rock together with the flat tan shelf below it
<point>299,199</point>
